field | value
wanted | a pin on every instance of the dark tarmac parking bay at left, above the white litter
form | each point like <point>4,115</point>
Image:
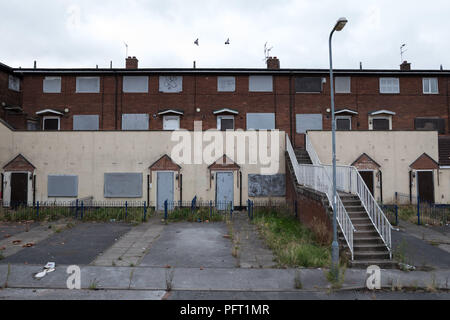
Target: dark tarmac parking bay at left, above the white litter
<point>78,245</point>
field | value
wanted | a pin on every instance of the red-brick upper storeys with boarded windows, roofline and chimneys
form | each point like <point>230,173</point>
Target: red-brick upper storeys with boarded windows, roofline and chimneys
<point>292,100</point>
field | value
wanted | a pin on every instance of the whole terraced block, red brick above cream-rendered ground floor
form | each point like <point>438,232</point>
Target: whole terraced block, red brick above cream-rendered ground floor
<point>62,136</point>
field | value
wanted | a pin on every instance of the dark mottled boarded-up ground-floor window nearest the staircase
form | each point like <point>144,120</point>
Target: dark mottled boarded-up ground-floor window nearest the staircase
<point>266,185</point>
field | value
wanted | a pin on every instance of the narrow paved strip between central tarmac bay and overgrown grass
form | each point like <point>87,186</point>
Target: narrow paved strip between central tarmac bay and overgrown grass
<point>252,252</point>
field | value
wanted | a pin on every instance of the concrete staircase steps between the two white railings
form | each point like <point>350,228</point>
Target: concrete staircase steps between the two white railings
<point>368,246</point>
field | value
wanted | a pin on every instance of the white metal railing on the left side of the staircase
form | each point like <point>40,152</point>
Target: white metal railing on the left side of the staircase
<point>316,177</point>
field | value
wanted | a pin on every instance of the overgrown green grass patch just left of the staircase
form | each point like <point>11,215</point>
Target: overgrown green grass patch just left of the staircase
<point>293,244</point>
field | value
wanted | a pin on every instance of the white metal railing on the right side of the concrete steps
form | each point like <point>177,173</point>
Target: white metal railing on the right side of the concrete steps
<point>349,180</point>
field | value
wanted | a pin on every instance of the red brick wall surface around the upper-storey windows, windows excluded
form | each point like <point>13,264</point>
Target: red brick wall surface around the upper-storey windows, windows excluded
<point>200,91</point>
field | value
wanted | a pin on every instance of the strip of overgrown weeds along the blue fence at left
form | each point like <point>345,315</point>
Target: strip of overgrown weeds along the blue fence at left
<point>53,213</point>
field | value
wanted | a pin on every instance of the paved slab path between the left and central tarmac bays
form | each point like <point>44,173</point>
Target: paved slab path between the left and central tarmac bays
<point>131,247</point>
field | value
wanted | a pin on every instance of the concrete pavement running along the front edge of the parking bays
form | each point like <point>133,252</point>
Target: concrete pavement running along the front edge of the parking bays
<point>215,279</point>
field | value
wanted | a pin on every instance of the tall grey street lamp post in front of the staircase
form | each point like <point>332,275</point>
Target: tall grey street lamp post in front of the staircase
<point>340,24</point>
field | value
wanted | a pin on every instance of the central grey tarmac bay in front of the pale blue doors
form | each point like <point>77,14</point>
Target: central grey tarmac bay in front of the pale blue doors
<point>184,244</point>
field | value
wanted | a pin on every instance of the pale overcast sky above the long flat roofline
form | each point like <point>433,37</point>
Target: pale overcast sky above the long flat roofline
<point>86,33</point>
